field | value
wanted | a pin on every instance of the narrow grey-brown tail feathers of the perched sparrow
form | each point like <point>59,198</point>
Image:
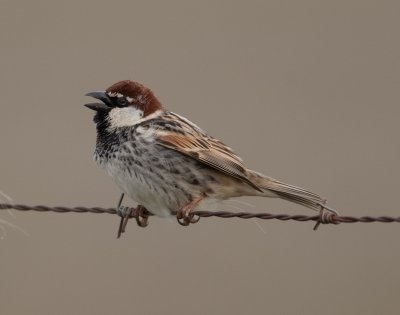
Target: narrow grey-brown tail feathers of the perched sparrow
<point>288,192</point>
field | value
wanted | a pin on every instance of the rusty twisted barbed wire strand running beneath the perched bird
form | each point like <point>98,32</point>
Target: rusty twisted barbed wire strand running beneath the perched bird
<point>332,219</point>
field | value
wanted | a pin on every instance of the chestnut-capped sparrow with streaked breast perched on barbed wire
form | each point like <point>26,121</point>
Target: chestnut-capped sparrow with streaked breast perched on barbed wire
<point>169,165</point>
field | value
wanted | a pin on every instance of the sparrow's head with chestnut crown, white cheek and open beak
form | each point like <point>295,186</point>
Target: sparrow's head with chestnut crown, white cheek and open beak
<point>124,103</point>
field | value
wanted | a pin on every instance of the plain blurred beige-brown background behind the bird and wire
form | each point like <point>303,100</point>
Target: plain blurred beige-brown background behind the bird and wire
<point>305,91</point>
